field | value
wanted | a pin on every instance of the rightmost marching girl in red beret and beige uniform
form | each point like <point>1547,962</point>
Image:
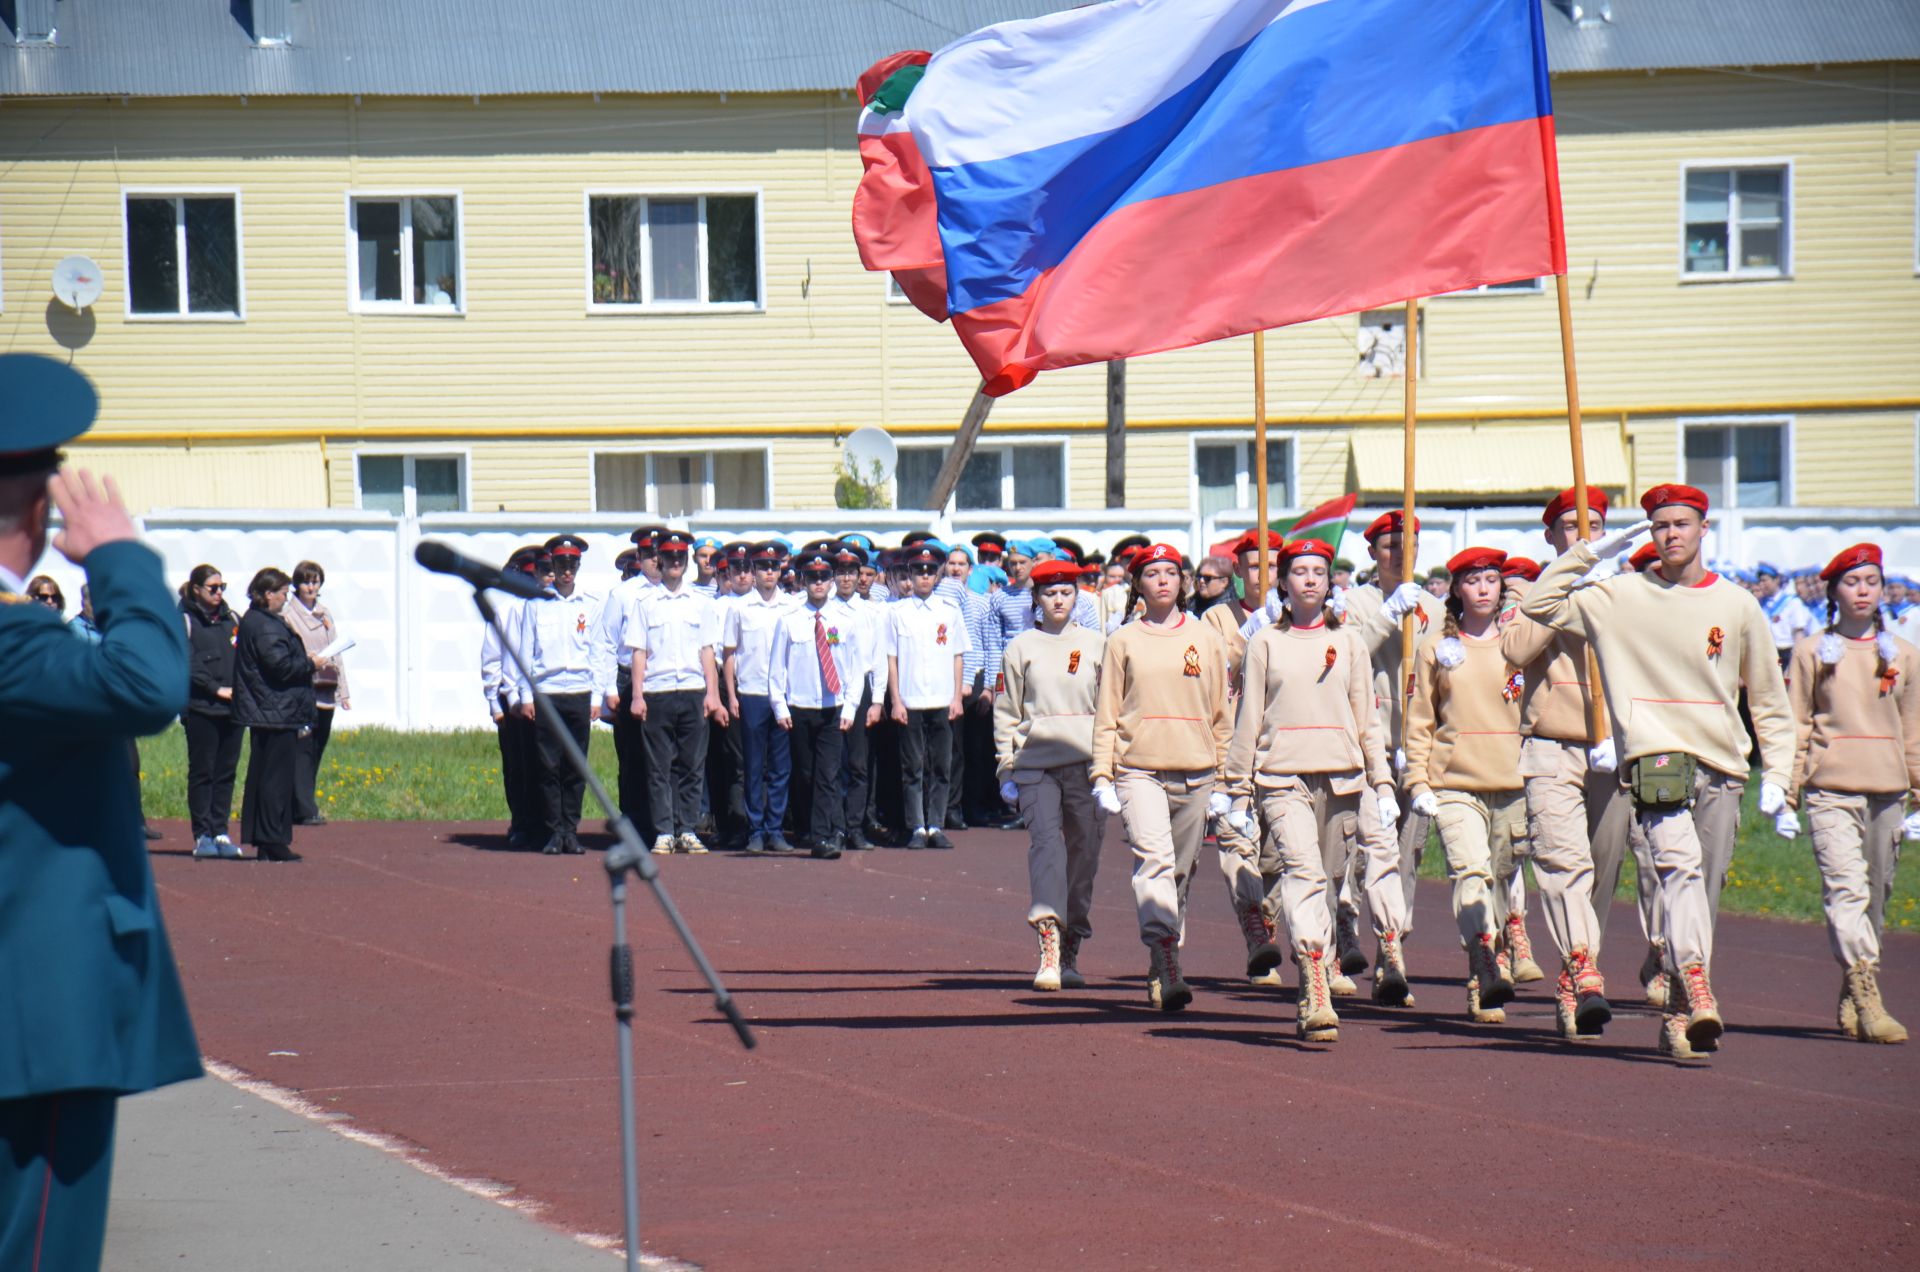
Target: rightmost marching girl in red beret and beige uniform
<point>1858,768</point>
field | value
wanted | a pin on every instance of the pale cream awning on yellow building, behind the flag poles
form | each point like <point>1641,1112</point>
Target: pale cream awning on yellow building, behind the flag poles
<point>1487,460</point>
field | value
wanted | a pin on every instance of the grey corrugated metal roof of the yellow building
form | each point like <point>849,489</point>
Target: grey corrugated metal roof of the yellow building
<point>546,47</point>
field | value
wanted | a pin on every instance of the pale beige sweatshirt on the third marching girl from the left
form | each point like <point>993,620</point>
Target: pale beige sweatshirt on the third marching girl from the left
<point>1307,706</point>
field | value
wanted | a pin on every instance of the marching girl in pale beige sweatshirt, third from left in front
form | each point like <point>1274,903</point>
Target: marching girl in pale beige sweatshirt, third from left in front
<point>1308,764</point>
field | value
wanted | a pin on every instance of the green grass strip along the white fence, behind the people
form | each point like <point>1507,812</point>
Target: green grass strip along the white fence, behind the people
<point>391,775</point>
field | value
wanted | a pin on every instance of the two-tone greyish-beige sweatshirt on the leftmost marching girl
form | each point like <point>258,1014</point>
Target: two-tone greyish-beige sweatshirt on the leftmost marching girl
<point>1044,716</point>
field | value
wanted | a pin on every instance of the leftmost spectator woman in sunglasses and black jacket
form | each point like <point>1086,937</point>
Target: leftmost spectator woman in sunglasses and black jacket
<point>212,735</point>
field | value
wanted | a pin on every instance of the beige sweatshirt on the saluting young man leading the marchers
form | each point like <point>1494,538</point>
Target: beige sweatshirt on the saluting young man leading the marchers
<point>1671,664</point>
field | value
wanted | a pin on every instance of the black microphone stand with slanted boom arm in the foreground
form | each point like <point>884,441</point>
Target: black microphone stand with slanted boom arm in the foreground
<point>627,854</point>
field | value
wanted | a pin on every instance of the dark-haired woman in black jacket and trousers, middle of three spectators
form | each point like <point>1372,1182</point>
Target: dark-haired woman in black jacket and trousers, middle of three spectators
<point>274,700</point>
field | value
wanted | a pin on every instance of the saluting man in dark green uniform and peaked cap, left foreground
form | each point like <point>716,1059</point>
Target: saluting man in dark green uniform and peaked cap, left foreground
<point>89,992</point>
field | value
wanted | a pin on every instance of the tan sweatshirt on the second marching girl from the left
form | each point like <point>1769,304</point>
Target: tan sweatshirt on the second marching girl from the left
<point>1163,700</point>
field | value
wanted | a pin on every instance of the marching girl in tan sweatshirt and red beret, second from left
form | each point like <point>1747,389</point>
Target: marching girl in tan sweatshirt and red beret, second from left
<point>1159,743</point>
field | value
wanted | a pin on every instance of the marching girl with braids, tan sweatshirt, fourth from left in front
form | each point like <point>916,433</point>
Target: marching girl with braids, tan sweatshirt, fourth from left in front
<point>1464,768</point>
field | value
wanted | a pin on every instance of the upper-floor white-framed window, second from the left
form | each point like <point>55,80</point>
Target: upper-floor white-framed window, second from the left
<point>406,255</point>
